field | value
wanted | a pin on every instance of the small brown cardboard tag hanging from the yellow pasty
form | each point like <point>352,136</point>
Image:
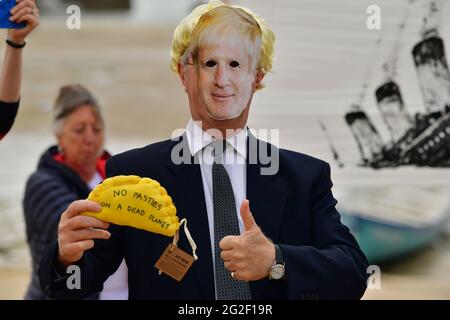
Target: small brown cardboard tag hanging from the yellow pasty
<point>174,262</point>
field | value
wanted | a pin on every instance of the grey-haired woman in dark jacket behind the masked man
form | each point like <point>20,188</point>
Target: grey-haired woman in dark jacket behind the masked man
<point>67,172</point>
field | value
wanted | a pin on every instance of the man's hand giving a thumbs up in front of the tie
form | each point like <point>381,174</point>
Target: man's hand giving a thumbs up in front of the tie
<point>250,255</point>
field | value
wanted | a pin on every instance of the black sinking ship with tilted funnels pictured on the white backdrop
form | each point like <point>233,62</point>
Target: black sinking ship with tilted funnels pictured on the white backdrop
<point>422,139</point>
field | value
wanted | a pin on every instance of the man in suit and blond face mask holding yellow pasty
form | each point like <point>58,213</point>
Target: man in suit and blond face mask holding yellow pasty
<point>252,235</point>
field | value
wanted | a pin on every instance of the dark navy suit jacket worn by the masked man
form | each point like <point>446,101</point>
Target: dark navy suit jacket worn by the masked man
<point>295,208</point>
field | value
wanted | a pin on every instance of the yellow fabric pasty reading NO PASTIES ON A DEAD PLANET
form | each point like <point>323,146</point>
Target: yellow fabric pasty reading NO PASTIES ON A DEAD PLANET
<point>136,202</point>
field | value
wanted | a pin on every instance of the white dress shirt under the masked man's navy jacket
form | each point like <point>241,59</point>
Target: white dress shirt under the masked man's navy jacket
<point>234,161</point>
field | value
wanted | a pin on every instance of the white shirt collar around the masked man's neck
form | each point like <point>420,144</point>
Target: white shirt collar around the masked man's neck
<point>198,139</point>
